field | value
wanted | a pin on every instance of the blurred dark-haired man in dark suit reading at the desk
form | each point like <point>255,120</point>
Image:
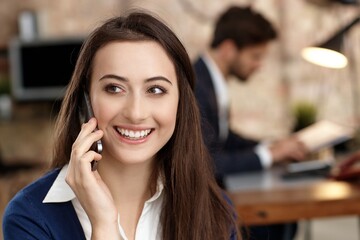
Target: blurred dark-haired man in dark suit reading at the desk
<point>239,43</point>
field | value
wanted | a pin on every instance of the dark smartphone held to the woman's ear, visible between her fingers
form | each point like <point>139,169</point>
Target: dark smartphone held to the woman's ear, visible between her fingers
<point>87,115</point>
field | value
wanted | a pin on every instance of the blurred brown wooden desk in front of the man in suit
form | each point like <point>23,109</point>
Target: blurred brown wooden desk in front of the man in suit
<point>264,198</point>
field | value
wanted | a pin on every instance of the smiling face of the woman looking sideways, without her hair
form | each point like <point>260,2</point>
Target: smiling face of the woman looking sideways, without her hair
<point>134,94</point>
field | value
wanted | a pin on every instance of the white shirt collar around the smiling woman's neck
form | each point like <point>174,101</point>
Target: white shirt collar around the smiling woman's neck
<point>60,191</point>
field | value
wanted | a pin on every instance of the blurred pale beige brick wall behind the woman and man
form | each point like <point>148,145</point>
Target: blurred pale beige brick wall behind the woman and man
<point>260,108</point>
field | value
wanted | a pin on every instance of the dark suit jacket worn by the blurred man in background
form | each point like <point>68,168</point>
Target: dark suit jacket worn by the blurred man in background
<point>233,155</point>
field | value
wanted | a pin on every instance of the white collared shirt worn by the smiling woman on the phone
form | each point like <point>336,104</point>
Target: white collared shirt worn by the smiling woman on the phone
<point>148,226</point>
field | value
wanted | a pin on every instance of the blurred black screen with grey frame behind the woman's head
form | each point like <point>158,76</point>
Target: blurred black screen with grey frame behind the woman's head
<point>41,69</point>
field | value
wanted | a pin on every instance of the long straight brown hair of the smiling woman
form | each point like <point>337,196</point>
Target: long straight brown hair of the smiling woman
<point>194,206</point>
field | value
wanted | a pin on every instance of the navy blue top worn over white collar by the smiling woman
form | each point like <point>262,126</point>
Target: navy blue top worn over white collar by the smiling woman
<point>26,217</point>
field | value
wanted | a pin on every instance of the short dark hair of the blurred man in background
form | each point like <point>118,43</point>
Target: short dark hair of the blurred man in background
<point>244,26</point>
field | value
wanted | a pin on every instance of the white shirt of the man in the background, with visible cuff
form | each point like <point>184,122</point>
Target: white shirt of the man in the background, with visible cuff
<point>222,96</point>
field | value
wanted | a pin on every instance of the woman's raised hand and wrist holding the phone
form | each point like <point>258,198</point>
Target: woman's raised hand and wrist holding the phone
<point>91,191</point>
